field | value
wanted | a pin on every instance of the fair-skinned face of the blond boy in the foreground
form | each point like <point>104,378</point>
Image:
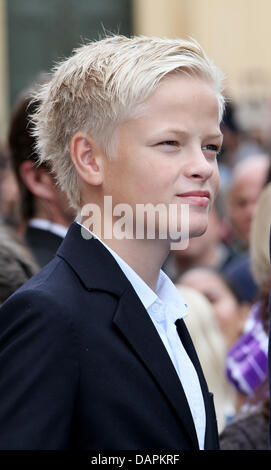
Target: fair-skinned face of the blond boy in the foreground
<point>168,154</point>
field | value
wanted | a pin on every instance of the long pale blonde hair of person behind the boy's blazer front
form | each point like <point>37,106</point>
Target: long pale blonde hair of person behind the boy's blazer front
<point>211,348</point>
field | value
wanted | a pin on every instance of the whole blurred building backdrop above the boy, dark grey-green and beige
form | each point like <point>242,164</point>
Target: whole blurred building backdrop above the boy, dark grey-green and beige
<point>34,34</point>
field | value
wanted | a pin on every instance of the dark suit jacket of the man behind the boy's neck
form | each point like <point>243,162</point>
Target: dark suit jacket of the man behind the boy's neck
<point>43,244</point>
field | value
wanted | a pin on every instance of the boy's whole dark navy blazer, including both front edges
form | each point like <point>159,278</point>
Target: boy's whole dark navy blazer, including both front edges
<point>82,365</point>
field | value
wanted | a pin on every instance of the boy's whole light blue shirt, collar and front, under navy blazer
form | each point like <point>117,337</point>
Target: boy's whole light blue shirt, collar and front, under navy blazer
<point>164,307</point>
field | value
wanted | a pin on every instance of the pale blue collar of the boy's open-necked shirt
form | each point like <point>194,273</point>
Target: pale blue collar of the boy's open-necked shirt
<point>166,293</point>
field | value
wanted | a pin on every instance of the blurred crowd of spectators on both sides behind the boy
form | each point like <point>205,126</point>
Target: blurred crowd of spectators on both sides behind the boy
<point>224,275</point>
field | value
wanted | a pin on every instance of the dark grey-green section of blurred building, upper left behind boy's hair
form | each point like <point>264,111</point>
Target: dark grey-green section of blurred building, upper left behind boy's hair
<point>35,34</point>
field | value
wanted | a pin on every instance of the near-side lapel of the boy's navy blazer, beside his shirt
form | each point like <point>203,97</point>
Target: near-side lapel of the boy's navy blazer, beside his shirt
<point>135,324</point>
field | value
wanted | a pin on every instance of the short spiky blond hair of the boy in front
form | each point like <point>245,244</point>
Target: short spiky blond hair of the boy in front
<point>100,86</point>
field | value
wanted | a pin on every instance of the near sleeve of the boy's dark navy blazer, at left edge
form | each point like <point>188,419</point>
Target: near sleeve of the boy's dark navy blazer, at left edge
<point>39,373</point>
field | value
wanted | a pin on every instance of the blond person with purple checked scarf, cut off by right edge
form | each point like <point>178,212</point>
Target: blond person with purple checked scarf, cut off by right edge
<point>247,361</point>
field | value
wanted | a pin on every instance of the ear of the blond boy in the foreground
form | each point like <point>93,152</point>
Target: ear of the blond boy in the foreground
<point>87,158</point>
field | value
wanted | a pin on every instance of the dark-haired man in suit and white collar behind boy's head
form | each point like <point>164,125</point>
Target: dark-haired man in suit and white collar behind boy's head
<point>45,210</point>
